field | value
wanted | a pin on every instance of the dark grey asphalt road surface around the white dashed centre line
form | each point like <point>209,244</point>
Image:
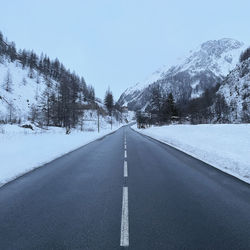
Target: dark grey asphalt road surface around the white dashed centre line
<point>174,200</point>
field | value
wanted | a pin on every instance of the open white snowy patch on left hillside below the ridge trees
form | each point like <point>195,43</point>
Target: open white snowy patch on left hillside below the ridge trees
<point>25,91</point>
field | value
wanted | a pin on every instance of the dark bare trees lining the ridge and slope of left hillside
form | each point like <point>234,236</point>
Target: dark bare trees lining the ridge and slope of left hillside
<point>66,94</point>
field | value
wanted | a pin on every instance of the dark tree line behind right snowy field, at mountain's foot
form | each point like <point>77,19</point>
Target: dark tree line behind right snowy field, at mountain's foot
<point>209,107</point>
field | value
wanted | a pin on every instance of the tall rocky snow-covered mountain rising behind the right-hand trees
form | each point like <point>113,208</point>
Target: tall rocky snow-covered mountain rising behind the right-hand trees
<point>201,69</point>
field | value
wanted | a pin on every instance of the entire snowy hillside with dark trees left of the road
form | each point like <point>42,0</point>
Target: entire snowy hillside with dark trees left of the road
<point>43,91</point>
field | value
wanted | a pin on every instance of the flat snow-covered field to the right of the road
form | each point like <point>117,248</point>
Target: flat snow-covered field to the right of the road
<point>224,146</point>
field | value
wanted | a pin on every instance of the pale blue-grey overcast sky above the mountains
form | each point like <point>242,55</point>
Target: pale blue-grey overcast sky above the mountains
<point>117,43</point>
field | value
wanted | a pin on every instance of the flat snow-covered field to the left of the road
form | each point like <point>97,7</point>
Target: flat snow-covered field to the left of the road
<point>22,150</point>
